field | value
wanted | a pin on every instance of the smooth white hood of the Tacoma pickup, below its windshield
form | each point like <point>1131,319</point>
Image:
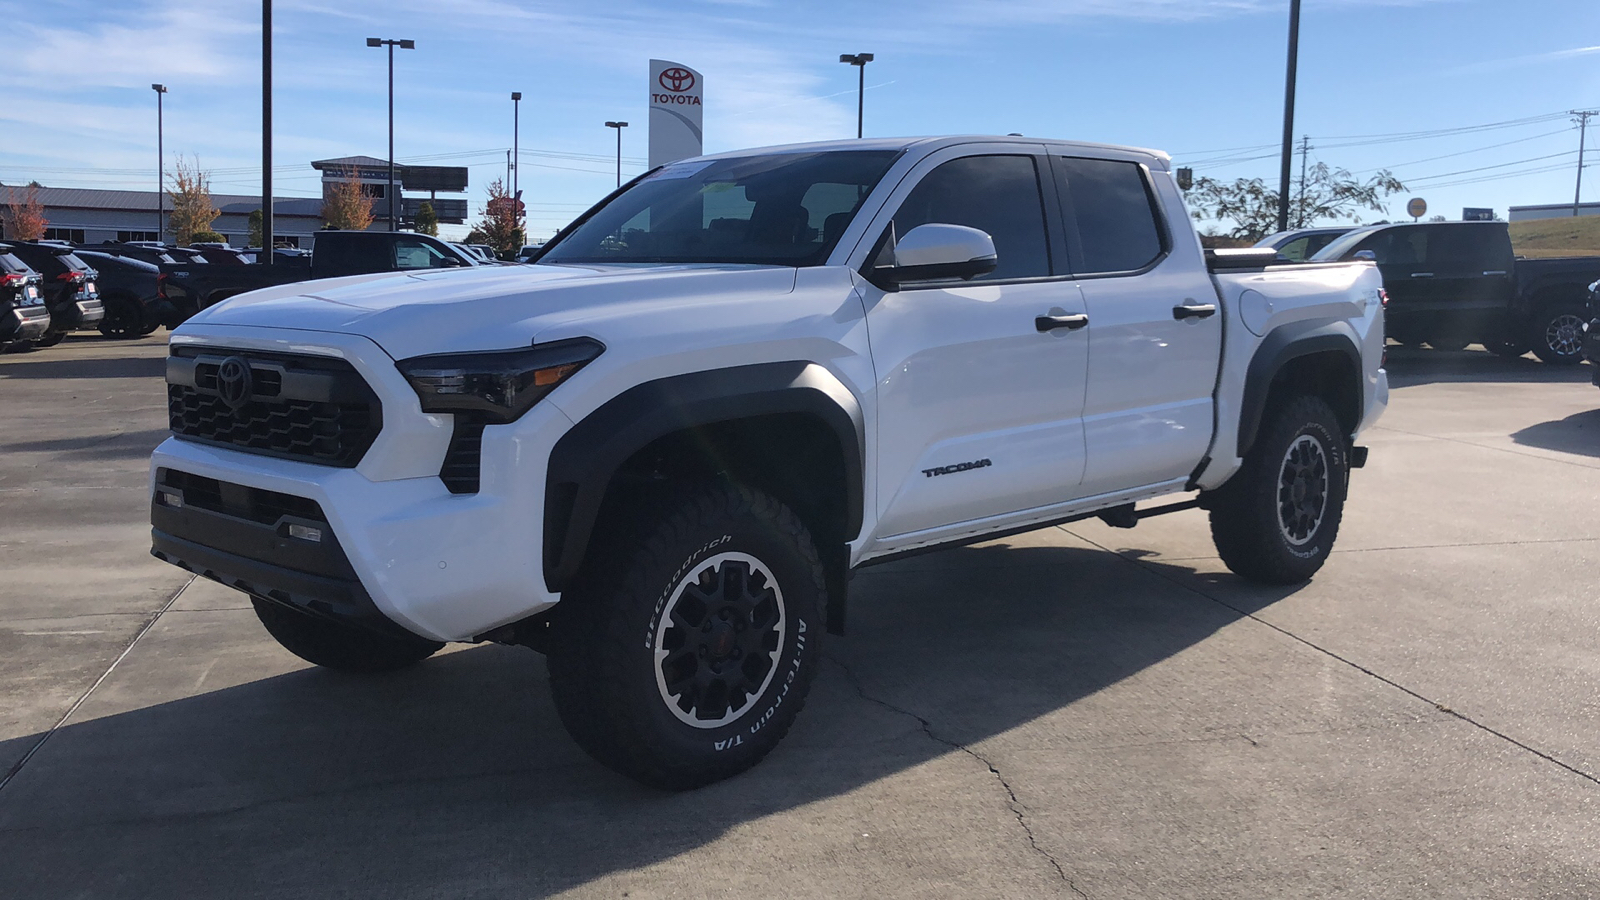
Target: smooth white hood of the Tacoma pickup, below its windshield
<point>492,307</point>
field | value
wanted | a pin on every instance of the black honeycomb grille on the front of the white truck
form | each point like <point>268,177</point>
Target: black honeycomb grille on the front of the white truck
<point>300,408</point>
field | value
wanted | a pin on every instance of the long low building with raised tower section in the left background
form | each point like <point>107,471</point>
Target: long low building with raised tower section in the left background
<point>94,217</point>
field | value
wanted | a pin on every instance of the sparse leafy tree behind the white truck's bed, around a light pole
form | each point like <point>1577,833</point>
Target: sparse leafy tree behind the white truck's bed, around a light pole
<point>1324,195</point>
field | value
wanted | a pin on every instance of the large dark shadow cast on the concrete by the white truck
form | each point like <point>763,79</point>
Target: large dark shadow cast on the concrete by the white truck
<point>455,779</point>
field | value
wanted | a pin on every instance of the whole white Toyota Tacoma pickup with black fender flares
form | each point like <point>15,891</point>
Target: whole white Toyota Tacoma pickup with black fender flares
<point>658,452</point>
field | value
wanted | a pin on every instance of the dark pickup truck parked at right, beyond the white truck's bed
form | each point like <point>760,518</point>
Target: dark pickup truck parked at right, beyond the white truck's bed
<point>1452,284</point>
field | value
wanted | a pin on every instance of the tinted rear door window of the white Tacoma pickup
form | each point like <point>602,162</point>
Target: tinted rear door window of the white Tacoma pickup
<point>1116,222</point>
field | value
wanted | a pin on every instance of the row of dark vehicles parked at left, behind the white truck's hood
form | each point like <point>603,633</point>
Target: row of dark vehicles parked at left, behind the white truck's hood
<point>127,291</point>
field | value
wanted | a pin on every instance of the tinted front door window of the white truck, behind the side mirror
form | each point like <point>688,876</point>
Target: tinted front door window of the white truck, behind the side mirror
<point>1001,198</point>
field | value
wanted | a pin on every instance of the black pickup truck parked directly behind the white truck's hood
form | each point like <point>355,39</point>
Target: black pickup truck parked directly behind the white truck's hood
<point>190,289</point>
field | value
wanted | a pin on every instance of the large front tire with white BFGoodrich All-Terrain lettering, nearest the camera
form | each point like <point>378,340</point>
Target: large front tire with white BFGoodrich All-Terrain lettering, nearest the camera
<point>660,605</point>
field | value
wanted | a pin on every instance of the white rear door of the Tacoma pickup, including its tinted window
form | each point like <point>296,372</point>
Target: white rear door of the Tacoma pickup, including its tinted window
<point>1156,340</point>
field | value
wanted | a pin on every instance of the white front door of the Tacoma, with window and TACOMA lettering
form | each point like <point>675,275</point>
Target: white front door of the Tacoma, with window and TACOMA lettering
<point>980,403</point>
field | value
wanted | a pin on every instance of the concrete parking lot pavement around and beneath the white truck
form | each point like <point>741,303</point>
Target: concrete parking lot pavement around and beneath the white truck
<point>1079,712</point>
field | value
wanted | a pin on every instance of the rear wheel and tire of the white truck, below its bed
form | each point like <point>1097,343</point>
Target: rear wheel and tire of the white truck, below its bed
<point>1268,521</point>
